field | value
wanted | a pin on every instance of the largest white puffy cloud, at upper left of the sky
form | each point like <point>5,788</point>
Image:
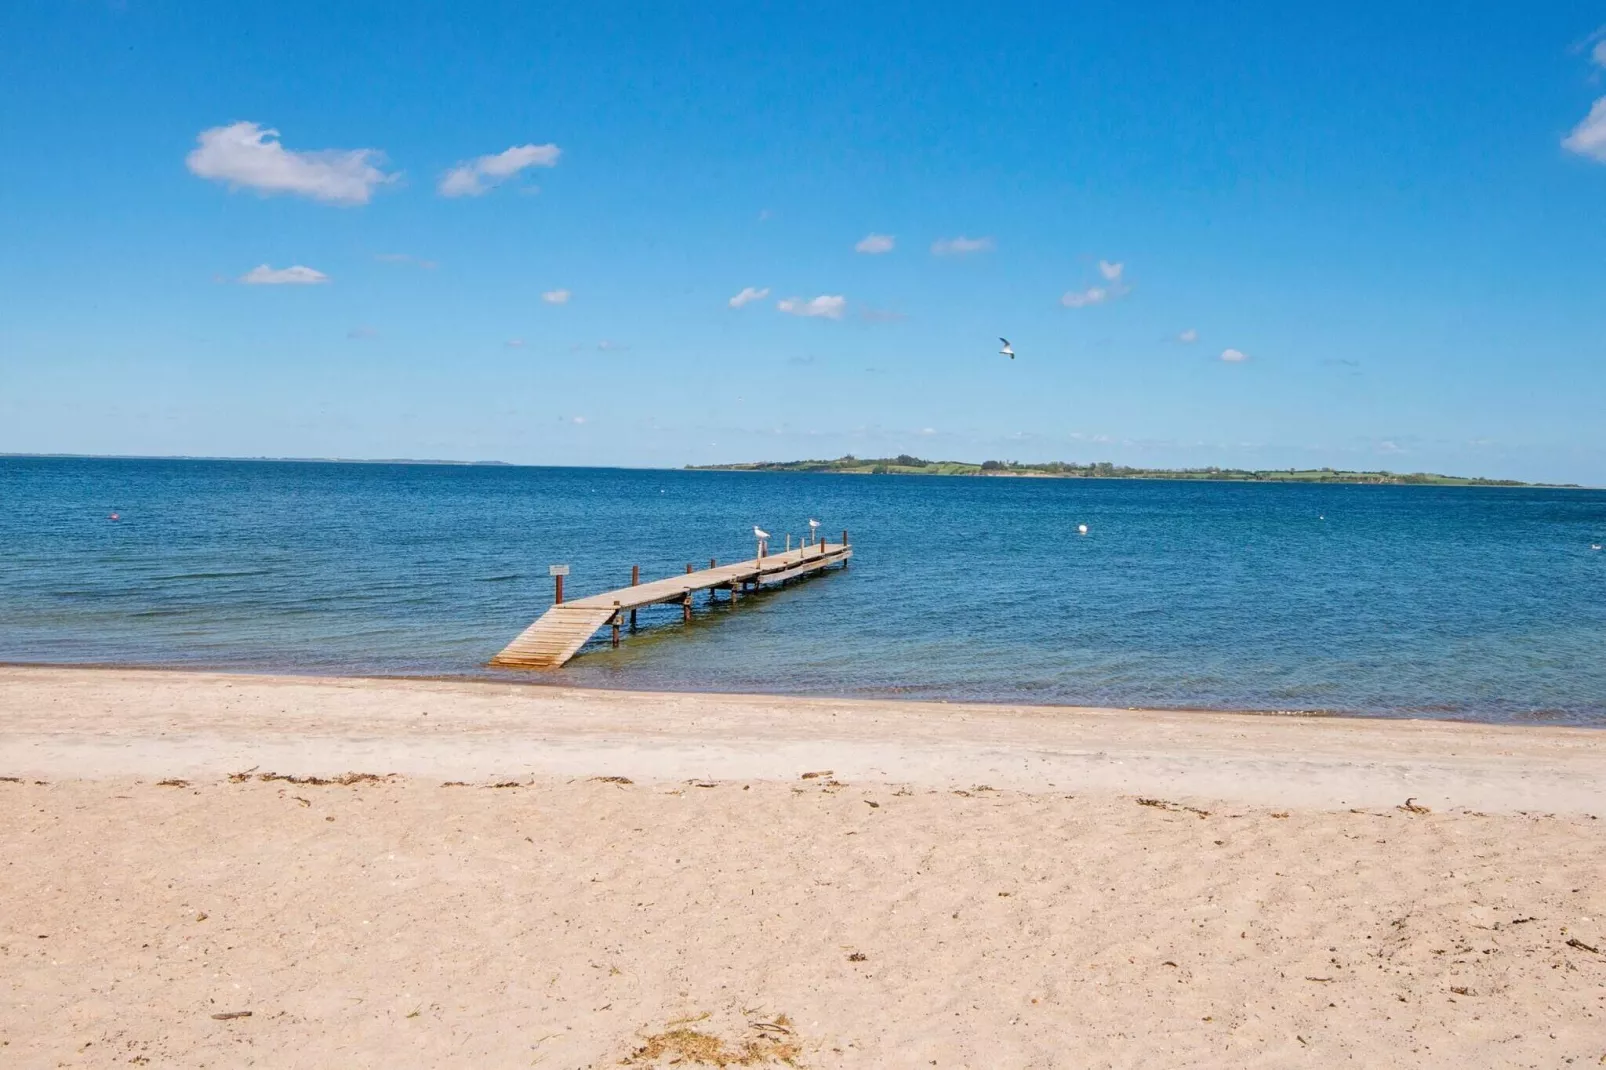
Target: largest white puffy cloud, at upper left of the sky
<point>248,155</point>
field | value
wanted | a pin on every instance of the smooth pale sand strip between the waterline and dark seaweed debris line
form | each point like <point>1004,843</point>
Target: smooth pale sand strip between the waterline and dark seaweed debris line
<point>208,724</point>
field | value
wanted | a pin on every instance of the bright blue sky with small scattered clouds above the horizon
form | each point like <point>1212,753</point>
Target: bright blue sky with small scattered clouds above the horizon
<point>515,232</point>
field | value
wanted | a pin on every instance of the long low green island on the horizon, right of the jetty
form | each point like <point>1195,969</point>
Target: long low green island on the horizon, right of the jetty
<point>905,465</point>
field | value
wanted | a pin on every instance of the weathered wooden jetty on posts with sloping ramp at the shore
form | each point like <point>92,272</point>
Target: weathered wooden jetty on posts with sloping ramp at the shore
<point>560,634</point>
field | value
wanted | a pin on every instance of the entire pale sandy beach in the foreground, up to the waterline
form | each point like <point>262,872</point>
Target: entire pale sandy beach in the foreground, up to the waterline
<point>968,886</point>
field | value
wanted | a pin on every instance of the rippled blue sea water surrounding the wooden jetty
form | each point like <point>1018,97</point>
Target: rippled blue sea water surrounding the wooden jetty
<point>1390,602</point>
